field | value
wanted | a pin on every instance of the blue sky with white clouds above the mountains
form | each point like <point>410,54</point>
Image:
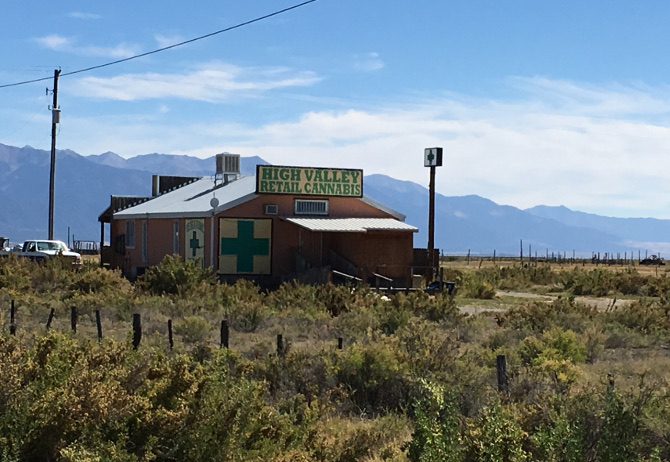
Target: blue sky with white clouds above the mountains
<point>556,103</point>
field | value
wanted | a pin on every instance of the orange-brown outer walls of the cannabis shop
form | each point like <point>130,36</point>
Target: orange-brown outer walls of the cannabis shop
<point>366,250</point>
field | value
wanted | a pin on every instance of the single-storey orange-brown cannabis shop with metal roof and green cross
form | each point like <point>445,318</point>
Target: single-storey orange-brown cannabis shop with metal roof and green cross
<point>310,224</point>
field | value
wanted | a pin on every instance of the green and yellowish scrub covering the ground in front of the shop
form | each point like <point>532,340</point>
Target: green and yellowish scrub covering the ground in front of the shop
<point>414,373</point>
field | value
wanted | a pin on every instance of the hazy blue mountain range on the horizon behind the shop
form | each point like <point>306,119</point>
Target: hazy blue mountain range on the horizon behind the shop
<point>84,184</point>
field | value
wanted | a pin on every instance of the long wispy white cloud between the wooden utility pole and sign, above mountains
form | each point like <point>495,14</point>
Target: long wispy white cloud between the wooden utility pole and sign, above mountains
<point>211,82</point>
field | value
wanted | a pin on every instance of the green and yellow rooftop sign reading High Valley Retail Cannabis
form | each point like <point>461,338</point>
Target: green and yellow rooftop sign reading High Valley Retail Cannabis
<point>274,179</point>
